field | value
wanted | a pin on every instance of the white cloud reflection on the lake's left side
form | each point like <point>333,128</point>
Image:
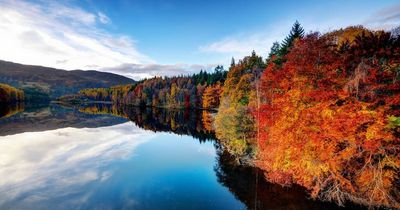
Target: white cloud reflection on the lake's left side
<point>36,166</point>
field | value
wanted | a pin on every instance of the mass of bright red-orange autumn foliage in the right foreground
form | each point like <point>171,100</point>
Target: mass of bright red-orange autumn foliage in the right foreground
<point>324,119</point>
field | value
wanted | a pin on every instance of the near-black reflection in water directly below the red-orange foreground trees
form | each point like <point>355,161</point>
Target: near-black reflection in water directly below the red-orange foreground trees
<point>249,186</point>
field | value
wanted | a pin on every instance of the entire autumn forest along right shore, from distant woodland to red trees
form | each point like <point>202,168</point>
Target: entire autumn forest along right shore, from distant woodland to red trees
<point>321,111</point>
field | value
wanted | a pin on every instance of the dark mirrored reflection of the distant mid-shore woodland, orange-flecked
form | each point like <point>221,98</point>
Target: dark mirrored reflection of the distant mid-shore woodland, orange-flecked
<point>195,123</point>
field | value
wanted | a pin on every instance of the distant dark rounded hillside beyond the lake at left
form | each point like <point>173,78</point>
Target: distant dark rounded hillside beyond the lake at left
<point>56,82</point>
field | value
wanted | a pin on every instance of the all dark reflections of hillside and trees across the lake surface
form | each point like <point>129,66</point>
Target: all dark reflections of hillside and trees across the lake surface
<point>246,183</point>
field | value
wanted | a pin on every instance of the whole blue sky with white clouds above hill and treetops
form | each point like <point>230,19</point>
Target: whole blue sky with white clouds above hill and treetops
<point>146,38</point>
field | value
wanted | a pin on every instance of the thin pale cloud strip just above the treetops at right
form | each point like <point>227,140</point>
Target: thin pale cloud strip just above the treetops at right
<point>239,45</point>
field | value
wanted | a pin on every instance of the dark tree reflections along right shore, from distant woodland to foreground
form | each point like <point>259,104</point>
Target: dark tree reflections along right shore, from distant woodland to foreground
<point>245,182</point>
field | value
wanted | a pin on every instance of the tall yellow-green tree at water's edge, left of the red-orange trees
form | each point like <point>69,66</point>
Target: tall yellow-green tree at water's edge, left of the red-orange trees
<point>235,125</point>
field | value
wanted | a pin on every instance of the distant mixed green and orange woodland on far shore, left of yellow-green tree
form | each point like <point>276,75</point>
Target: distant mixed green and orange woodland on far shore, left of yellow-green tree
<point>168,92</point>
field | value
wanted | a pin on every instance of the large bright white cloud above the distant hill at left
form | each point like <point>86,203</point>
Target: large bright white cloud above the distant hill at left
<point>60,36</point>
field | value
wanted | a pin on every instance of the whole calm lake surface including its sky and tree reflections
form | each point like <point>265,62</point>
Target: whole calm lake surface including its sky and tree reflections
<point>103,157</point>
